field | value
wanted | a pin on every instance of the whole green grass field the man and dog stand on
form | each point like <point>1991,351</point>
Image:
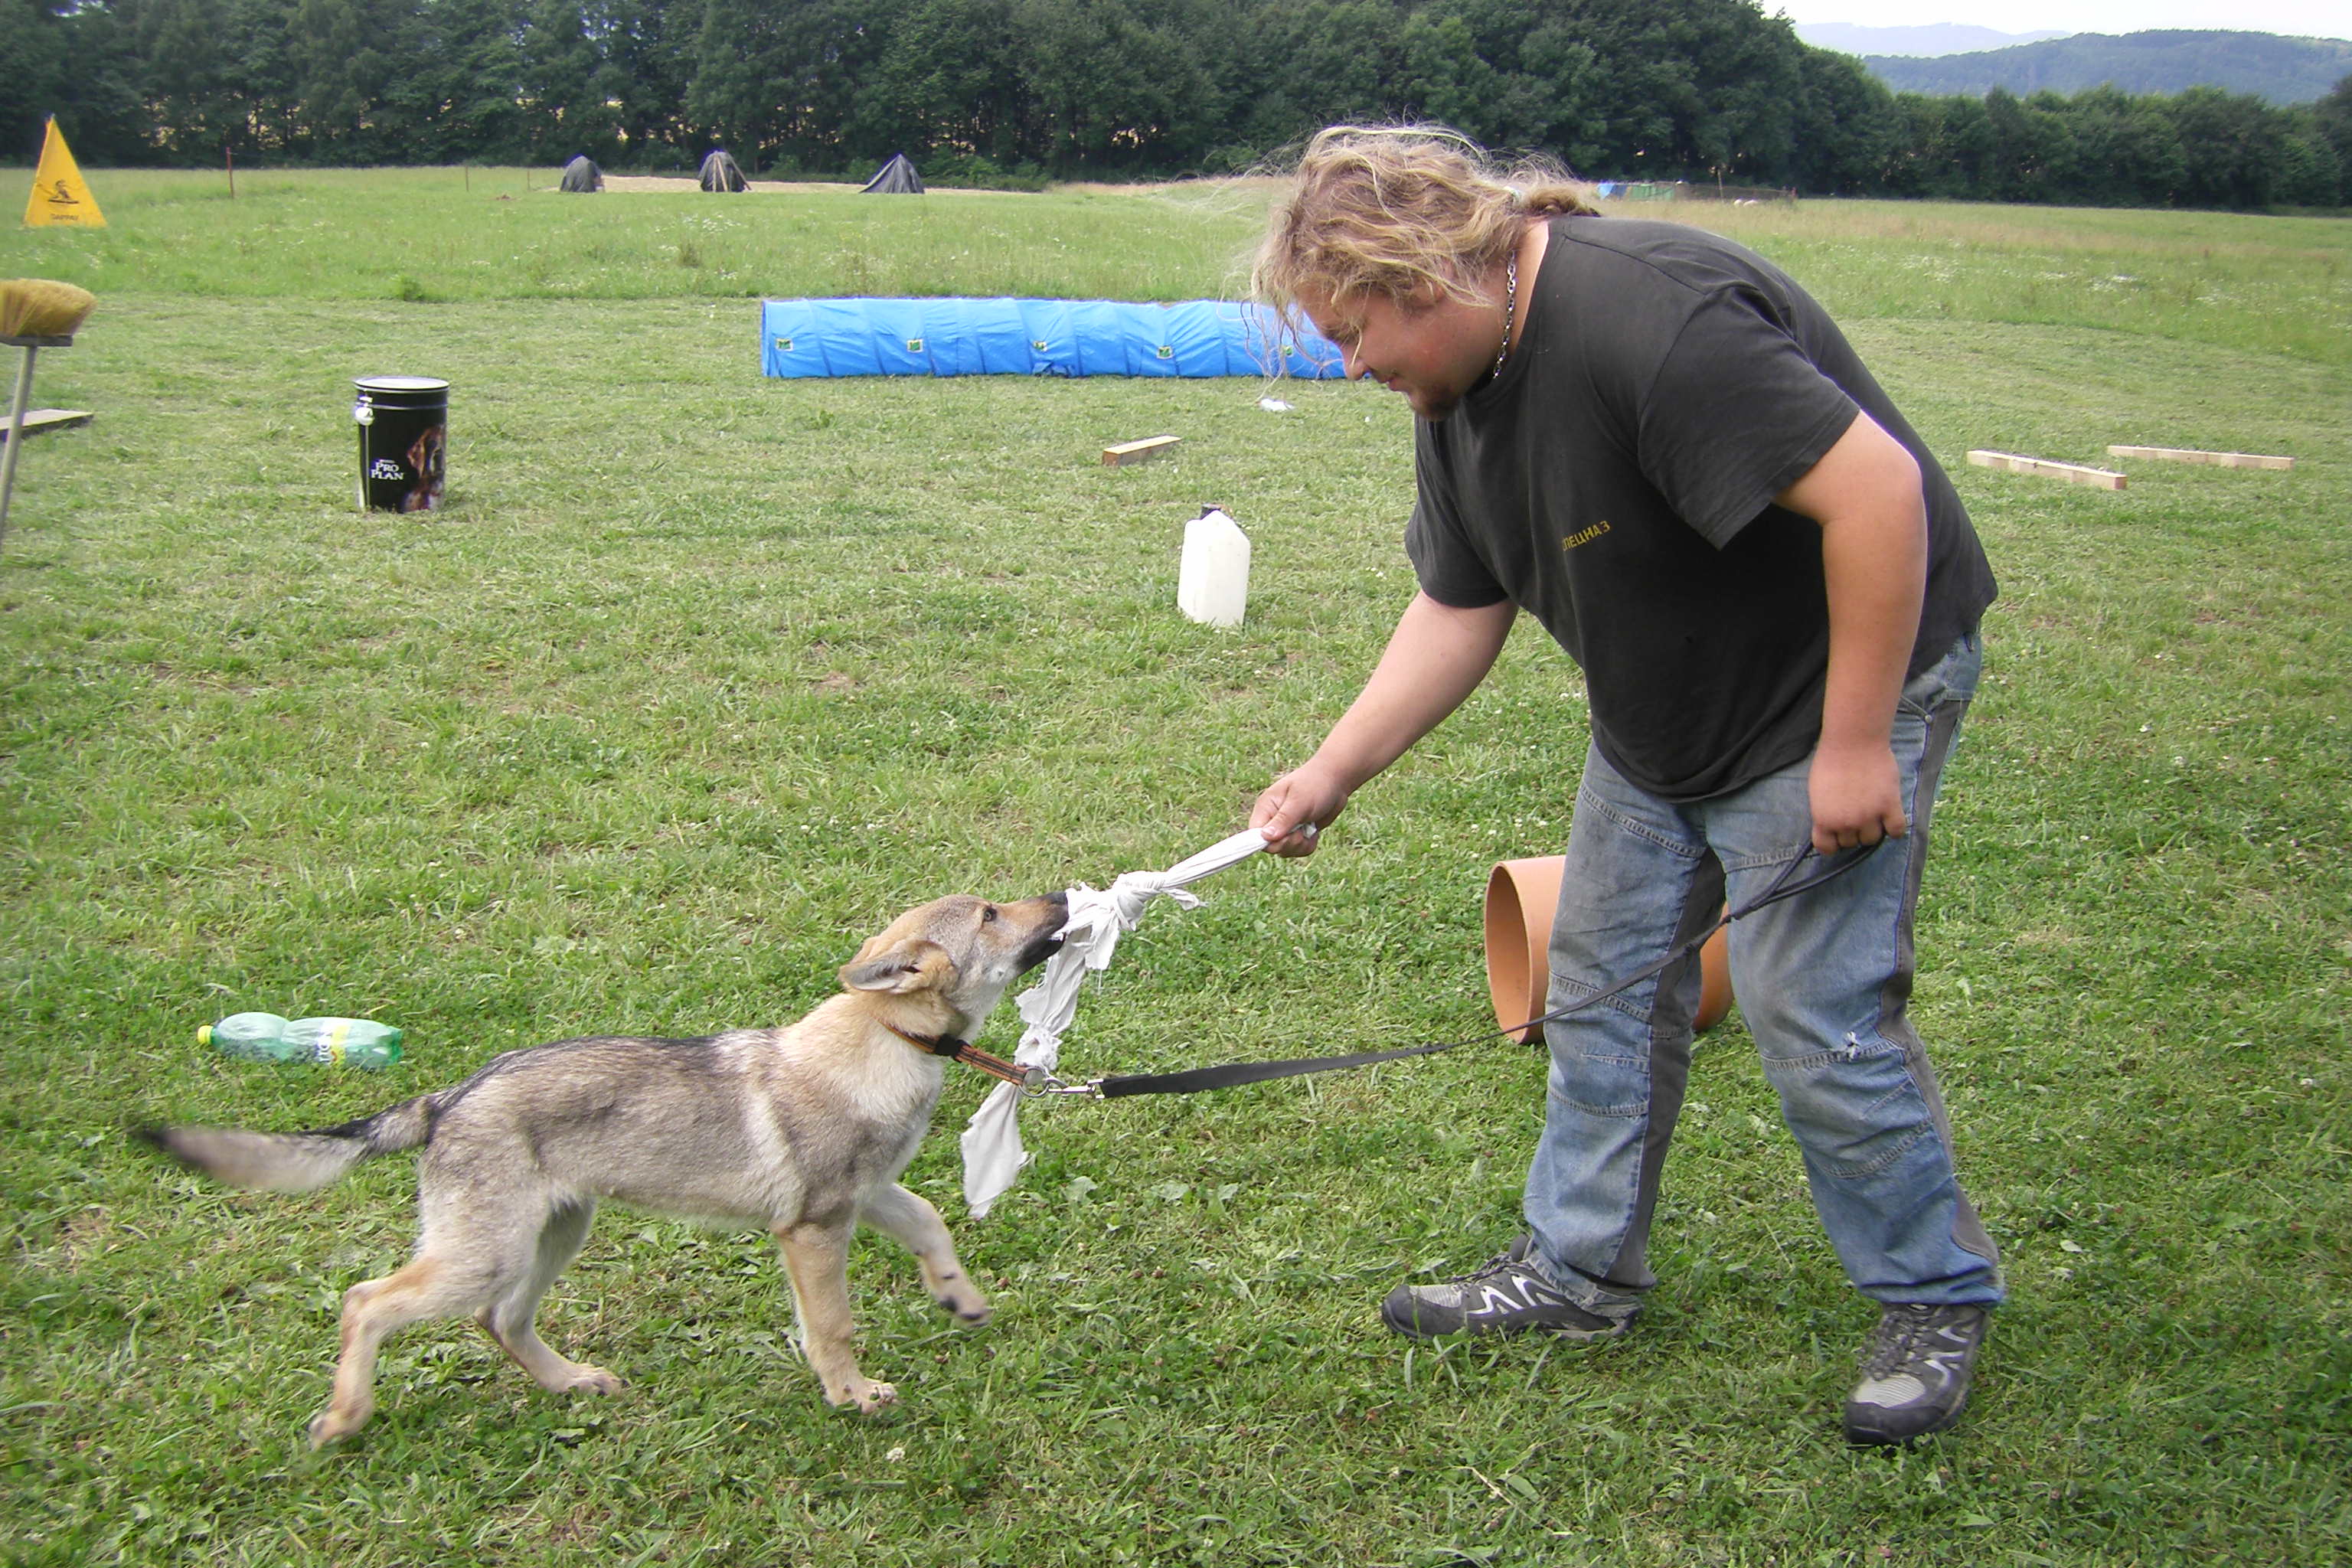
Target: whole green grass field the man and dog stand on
<point>700,678</point>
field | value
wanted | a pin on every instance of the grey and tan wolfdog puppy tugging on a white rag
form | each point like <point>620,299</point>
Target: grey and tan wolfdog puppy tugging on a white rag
<point>799,1130</point>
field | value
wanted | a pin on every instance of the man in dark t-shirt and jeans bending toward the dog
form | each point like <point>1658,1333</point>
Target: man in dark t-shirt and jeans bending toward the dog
<point>1666,453</point>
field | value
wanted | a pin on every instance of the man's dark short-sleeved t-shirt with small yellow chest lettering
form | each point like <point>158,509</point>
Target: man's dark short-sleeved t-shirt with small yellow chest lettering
<point>1617,483</point>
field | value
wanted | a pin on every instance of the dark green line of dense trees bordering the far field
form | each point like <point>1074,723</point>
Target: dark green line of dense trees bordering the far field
<point>1029,91</point>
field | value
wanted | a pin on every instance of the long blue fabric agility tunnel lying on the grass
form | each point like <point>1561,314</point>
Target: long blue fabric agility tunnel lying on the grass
<point>1034,337</point>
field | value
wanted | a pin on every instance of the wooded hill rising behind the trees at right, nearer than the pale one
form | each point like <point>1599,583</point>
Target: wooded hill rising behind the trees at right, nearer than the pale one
<point>2271,67</point>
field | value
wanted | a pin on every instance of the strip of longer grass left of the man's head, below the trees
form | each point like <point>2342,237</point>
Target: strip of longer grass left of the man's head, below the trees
<point>509,234</point>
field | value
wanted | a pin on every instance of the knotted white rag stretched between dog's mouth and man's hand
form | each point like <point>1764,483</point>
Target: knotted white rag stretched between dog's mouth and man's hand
<point>994,1151</point>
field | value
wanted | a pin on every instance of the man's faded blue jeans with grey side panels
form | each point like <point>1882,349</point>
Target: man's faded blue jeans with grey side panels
<point>1824,984</point>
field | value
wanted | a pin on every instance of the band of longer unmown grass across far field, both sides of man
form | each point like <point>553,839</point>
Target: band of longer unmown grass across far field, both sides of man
<point>2278,286</point>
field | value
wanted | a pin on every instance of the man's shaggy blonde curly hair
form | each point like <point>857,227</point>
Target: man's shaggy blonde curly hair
<point>1401,210</point>
